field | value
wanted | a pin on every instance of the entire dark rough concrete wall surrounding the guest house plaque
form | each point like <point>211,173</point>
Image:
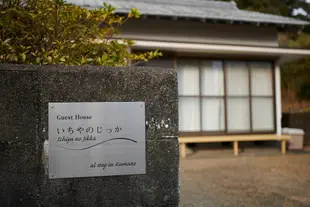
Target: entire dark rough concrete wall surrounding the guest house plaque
<point>24,94</point>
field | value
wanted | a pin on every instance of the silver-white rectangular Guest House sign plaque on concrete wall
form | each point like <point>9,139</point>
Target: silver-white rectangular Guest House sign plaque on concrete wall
<point>90,139</point>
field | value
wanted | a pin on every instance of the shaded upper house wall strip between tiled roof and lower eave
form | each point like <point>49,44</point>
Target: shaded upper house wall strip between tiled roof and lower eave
<point>199,32</point>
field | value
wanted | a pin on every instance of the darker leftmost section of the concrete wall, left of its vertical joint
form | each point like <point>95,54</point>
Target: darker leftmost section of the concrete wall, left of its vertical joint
<point>19,142</point>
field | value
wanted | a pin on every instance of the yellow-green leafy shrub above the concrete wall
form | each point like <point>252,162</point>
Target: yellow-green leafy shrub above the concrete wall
<point>55,32</point>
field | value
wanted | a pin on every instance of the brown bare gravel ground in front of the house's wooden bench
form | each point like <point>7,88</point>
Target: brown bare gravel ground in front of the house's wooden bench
<point>268,180</point>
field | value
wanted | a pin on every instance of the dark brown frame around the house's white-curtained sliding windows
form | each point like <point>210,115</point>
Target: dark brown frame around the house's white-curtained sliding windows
<point>223,58</point>
